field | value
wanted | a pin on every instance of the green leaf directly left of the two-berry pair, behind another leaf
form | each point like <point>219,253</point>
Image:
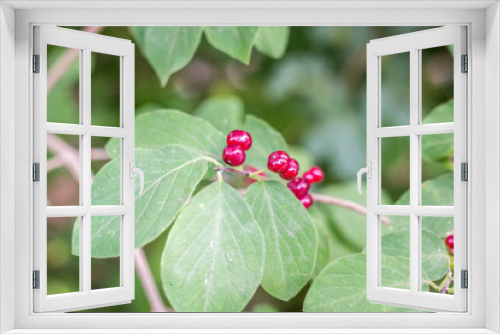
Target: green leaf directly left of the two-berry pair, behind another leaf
<point>167,126</point>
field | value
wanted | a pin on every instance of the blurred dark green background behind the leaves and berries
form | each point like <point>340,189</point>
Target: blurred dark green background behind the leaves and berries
<point>315,95</point>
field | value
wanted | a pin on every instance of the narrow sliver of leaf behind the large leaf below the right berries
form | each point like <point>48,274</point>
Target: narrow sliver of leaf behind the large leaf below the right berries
<point>326,246</point>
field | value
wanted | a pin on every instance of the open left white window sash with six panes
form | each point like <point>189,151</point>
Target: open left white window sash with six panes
<point>86,43</point>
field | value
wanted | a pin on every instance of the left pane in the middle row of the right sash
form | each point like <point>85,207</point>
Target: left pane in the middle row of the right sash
<point>395,166</point>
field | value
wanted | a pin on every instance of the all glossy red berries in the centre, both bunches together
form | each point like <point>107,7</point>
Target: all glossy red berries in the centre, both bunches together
<point>239,141</point>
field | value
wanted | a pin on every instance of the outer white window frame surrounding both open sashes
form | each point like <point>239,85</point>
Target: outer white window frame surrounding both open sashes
<point>483,21</point>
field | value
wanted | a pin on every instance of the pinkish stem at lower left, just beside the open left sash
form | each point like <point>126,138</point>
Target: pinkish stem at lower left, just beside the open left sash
<point>148,283</point>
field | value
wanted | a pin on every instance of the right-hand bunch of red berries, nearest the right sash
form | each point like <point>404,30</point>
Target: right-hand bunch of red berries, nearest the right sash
<point>288,169</point>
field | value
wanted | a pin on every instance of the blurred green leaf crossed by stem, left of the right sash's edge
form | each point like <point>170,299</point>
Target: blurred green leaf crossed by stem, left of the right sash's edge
<point>349,225</point>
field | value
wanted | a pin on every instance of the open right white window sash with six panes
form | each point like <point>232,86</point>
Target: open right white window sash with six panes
<point>414,43</point>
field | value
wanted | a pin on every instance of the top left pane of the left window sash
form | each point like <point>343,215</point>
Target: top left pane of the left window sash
<point>63,86</point>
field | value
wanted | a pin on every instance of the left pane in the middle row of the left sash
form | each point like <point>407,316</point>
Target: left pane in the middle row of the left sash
<point>63,170</point>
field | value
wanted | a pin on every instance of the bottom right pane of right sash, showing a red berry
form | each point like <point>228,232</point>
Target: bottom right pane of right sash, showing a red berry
<point>437,254</point>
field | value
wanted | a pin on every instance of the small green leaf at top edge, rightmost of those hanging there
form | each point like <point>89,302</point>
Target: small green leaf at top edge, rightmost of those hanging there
<point>272,40</point>
